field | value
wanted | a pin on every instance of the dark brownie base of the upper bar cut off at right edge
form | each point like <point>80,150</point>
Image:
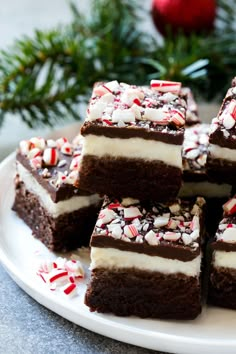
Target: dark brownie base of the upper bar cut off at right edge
<point>221,171</point>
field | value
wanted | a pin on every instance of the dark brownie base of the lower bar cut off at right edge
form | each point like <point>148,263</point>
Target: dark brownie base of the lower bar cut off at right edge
<point>222,287</point>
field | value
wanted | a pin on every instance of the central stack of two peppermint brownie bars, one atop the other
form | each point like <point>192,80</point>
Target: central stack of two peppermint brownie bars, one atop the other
<point>146,245</point>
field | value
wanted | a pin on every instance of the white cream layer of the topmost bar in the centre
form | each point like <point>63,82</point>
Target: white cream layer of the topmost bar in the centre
<point>133,148</point>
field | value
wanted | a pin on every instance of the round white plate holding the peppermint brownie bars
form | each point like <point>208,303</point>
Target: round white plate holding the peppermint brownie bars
<point>212,332</point>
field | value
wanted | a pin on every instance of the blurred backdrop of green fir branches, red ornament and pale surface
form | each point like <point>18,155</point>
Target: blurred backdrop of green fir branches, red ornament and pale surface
<point>46,75</point>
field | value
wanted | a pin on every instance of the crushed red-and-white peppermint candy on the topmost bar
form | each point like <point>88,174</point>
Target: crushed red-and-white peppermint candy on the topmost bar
<point>119,104</point>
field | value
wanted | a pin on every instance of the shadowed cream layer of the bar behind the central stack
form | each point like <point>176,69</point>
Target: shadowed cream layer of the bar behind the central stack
<point>205,189</point>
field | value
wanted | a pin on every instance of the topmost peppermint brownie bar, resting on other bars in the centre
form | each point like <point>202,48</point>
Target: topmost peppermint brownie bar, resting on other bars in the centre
<point>132,141</point>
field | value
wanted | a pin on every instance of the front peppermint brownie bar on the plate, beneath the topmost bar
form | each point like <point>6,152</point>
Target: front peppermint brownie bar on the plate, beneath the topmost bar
<point>146,259</point>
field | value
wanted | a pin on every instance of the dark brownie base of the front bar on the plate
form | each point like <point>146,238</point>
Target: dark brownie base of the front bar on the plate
<point>127,292</point>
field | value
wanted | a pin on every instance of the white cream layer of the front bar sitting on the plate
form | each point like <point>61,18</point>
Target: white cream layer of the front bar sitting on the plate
<point>111,258</point>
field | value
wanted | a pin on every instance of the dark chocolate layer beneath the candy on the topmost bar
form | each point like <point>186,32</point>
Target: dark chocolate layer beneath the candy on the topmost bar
<point>170,136</point>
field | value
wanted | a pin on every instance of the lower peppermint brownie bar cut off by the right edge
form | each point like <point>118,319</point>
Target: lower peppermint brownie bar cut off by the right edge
<point>222,280</point>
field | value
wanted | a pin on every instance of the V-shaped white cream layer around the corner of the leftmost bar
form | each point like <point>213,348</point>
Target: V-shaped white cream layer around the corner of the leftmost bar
<point>54,209</point>
